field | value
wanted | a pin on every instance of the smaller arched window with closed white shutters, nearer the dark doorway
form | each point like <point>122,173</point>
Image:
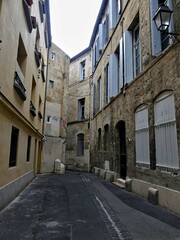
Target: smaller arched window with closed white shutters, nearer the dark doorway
<point>142,135</point>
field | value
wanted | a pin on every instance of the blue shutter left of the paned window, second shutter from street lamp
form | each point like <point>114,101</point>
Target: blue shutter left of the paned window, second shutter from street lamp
<point>128,57</point>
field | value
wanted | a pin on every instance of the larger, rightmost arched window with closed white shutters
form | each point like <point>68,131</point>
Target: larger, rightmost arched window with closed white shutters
<point>165,131</point>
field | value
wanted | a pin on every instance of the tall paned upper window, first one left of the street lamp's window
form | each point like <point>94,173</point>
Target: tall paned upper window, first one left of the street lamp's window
<point>136,51</point>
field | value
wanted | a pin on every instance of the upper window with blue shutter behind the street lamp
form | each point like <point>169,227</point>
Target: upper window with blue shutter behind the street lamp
<point>160,41</point>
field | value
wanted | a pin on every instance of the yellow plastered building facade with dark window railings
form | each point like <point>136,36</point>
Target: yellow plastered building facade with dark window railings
<point>25,39</point>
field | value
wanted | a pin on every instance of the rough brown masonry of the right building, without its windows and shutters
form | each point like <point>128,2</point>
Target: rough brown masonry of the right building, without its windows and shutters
<point>157,75</point>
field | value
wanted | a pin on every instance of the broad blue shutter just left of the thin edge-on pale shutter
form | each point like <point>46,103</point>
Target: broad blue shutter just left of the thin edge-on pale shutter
<point>113,75</point>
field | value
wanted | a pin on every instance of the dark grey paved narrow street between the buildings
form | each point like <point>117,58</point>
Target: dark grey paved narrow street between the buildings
<point>81,206</point>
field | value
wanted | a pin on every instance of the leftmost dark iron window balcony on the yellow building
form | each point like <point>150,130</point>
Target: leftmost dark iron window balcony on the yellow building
<point>18,84</point>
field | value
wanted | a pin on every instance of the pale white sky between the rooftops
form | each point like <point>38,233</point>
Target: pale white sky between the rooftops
<point>72,23</point>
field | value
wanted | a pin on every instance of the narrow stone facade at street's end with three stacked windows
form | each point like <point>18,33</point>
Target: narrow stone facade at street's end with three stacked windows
<point>78,110</point>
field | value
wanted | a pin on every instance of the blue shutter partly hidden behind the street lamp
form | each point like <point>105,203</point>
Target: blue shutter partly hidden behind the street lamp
<point>155,34</point>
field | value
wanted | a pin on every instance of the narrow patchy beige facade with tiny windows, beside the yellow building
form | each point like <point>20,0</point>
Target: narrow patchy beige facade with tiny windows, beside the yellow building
<point>55,126</point>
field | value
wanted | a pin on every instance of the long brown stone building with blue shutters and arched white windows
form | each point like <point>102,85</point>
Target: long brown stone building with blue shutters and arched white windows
<point>134,122</point>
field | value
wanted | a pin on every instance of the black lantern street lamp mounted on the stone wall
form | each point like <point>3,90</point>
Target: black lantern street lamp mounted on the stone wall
<point>162,19</point>
